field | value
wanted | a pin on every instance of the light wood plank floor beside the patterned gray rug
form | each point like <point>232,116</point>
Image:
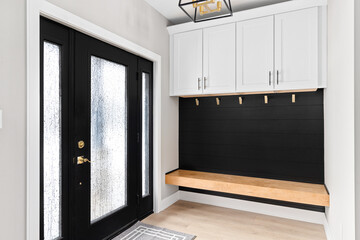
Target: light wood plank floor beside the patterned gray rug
<point>209,222</point>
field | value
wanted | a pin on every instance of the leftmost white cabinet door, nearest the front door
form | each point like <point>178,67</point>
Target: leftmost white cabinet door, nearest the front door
<point>187,78</point>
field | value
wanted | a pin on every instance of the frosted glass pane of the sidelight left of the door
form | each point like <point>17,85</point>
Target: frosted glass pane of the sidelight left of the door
<point>51,141</point>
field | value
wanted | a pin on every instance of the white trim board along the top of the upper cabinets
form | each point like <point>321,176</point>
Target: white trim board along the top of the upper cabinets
<point>250,14</point>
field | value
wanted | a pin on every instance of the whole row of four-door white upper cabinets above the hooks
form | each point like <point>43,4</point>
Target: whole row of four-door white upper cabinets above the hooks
<point>277,52</point>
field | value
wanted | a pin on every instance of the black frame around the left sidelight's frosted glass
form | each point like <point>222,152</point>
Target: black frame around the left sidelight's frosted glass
<point>57,34</point>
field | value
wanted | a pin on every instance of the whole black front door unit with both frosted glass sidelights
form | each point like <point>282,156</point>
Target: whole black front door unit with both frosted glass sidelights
<point>97,104</point>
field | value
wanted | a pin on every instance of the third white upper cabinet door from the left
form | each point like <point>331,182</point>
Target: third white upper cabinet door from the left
<point>255,55</point>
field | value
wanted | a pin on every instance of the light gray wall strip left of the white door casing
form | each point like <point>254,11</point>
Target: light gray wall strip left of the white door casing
<point>13,134</point>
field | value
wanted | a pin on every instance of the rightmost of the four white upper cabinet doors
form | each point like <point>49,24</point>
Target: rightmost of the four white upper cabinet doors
<point>296,49</point>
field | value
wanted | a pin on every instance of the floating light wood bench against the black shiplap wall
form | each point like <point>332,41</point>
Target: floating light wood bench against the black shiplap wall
<point>305,193</point>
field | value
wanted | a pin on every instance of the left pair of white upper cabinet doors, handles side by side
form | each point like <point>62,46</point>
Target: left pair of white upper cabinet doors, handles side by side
<point>204,61</point>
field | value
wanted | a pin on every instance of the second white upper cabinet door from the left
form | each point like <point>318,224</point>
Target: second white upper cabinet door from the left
<point>219,59</point>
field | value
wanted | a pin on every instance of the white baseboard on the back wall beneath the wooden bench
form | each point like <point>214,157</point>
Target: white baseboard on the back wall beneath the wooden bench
<point>261,208</point>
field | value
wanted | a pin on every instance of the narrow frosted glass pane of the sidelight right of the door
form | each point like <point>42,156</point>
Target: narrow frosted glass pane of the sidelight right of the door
<point>145,98</point>
